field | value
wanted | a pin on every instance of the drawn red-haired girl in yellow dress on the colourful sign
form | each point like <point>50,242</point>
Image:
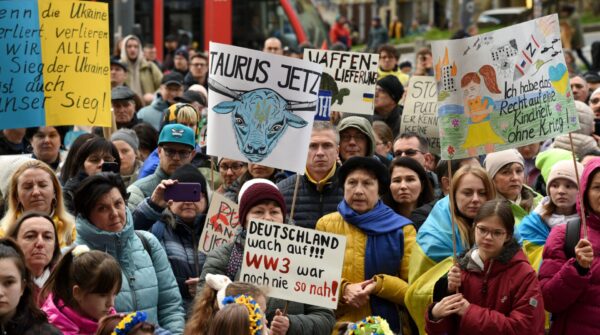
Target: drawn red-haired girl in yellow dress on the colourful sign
<point>478,109</point>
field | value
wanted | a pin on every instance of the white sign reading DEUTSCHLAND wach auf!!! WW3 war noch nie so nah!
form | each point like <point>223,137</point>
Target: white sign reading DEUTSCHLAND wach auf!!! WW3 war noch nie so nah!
<point>296,264</point>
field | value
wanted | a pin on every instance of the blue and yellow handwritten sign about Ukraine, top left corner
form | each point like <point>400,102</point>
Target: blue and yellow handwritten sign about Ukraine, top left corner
<point>54,63</point>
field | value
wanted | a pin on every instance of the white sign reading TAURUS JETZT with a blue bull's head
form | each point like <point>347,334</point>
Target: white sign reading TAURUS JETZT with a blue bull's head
<point>261,106</point>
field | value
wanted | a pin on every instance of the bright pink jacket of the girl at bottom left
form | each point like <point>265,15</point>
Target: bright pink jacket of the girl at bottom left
<point>69,321</point>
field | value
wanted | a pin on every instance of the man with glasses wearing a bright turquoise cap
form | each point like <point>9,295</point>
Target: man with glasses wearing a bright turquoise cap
<point>176,144</point>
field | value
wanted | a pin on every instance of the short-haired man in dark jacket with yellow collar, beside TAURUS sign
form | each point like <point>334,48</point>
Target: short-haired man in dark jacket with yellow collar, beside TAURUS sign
<point>318,191</point>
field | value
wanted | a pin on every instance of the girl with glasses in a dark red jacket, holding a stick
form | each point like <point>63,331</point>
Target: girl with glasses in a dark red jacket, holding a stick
<point>499,291</point>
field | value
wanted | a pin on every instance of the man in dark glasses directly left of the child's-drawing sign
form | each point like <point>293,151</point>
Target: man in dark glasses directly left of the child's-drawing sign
<point>415,146</point>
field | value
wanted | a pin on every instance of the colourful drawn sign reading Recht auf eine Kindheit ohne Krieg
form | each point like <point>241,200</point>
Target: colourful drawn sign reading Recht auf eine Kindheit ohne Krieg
<point>503,89</point>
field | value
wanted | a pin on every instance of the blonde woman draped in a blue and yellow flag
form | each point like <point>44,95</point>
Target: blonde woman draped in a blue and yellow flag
<point>432,255</point>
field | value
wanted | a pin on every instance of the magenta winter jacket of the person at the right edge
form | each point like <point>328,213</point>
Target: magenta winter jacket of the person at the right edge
<point>571,293</point>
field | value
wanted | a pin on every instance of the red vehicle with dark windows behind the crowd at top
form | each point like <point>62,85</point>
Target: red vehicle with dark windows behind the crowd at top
<point>245,23</point>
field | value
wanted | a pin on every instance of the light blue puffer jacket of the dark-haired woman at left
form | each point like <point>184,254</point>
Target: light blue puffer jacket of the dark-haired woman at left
<point>148,281</point>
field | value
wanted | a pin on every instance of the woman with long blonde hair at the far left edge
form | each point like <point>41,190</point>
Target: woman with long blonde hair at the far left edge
<point>35,186</point>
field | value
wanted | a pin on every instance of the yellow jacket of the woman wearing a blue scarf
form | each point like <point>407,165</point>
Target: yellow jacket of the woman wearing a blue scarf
<point>391,287</point>
